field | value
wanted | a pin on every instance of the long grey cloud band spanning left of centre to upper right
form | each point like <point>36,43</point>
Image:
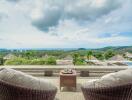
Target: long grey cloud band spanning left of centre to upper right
<point>48,13</point>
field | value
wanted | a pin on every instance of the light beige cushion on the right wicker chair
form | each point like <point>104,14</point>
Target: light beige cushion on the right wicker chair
<point>112,79</point>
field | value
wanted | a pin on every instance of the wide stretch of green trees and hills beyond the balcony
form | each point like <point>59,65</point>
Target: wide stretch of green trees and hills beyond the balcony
<point>38,57</point>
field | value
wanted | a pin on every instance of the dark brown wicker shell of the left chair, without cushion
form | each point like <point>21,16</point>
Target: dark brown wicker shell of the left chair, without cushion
<point>9,91</point>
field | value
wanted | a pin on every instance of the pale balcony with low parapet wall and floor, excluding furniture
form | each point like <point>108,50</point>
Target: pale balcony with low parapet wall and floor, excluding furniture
<point>94,72</point>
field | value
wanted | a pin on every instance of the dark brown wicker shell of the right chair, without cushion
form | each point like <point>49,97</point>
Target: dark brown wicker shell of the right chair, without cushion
<point>122,92</point>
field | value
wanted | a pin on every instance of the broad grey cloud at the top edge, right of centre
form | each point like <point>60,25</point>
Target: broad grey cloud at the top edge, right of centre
<point>90,9</point>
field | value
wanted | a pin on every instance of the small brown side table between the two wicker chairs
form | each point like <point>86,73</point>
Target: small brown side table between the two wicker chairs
<point>68,80</point>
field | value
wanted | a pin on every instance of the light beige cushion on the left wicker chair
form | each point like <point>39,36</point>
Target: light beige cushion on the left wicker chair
<point>21,79</point>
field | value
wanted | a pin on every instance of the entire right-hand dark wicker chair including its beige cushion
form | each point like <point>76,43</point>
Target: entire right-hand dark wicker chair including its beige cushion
<point>113,86</point>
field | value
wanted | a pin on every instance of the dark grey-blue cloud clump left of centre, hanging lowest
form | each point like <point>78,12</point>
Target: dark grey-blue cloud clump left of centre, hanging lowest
<point>48,18</point>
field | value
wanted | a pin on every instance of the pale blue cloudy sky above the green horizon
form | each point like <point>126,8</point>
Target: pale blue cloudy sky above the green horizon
<point>65,23</point>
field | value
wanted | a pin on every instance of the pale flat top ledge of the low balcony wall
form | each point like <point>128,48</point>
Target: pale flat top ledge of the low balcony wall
<point>59,67</point>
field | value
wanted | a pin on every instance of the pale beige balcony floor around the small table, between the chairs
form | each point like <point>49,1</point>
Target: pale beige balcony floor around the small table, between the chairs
<point>70,93</point>
